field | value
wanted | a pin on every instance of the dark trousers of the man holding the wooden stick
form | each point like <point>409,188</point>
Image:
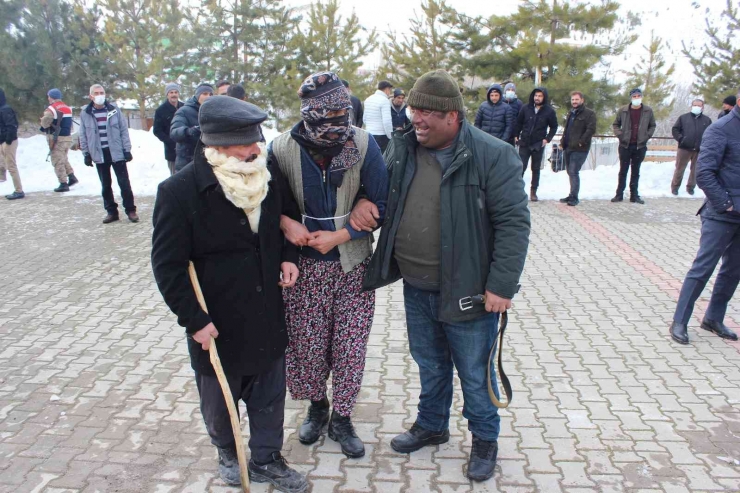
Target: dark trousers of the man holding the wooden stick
<point>264,395</point>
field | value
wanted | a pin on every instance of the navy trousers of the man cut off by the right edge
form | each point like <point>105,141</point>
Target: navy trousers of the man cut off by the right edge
<point>719,239</point>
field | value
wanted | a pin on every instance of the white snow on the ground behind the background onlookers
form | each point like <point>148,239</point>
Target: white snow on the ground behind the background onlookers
<point>149,168</point>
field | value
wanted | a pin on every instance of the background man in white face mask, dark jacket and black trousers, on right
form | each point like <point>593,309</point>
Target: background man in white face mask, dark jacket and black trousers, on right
<point>633,126</point>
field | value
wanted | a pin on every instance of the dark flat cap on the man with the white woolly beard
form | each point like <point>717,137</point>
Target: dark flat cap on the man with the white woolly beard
<point>229,122</point>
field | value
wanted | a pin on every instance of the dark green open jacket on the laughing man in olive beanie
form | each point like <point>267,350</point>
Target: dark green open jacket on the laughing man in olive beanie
<point>484,220</point>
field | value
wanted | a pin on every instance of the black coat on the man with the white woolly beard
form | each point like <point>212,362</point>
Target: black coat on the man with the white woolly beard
<point>238,270</point>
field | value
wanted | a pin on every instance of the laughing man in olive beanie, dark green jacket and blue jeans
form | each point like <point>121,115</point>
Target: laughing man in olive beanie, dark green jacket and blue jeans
<point>457,227</point>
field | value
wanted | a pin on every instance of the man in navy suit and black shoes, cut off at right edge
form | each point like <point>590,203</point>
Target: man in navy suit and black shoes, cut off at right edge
<point>718,175</point>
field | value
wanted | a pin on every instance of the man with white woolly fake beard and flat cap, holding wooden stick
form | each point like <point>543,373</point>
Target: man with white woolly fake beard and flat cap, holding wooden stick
<point>222,213</point>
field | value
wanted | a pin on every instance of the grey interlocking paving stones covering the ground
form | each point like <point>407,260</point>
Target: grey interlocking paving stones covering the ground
<point>96,391</point>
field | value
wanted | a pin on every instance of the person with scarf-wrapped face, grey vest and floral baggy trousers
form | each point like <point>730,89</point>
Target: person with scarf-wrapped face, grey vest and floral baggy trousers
<point>326,160</point>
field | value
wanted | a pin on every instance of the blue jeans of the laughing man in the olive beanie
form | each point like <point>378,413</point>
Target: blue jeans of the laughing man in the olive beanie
<point>436,346</point>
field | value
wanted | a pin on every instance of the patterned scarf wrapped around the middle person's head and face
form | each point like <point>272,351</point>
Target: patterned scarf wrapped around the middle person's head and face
<point>333,137</point>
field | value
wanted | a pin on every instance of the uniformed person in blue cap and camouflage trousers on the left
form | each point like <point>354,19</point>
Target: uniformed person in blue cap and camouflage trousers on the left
<point>56,123</point>
